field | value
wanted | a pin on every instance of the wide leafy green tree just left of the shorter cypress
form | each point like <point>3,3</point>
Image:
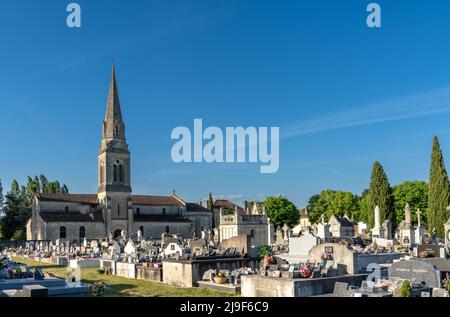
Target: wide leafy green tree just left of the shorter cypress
<point>331,202</point>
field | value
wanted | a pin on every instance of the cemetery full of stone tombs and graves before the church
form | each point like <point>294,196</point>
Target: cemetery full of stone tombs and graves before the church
<point>315,261</point>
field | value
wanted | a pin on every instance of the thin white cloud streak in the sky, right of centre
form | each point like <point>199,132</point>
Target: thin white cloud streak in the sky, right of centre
<point>414,106</point>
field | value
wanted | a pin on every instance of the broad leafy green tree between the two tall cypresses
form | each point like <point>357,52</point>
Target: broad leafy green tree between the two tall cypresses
<point>416,194</point>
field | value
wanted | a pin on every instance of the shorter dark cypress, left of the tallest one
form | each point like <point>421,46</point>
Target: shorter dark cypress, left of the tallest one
<point>380,194</point>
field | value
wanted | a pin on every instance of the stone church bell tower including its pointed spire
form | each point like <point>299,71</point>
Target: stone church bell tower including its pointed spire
<point>114,170</point>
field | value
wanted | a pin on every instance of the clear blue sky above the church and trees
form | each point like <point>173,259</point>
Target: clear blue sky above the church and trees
<point>342,94</point>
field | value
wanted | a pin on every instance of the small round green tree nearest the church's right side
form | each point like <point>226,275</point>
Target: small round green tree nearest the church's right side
<point>281,211</point>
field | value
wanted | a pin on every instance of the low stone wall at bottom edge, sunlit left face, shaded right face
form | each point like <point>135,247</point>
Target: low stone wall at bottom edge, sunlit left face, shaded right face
<point>263,286</point>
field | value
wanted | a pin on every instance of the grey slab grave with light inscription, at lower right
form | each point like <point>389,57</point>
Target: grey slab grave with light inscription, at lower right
<point>418,272</point>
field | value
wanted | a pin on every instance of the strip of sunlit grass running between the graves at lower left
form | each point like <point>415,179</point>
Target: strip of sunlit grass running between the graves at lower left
<point>124,287</point>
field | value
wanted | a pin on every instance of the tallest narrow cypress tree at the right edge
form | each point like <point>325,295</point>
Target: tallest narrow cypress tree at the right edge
<point>439,191</point>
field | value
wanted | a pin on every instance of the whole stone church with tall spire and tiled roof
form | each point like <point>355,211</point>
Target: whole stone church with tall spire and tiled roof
<point>113,210</point>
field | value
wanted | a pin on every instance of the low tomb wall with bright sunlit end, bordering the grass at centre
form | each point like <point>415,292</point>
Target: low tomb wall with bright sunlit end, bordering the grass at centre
<point>187,273</point>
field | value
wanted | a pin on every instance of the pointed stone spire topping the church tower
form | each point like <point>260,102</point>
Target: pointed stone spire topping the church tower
<point>113,126</point>
